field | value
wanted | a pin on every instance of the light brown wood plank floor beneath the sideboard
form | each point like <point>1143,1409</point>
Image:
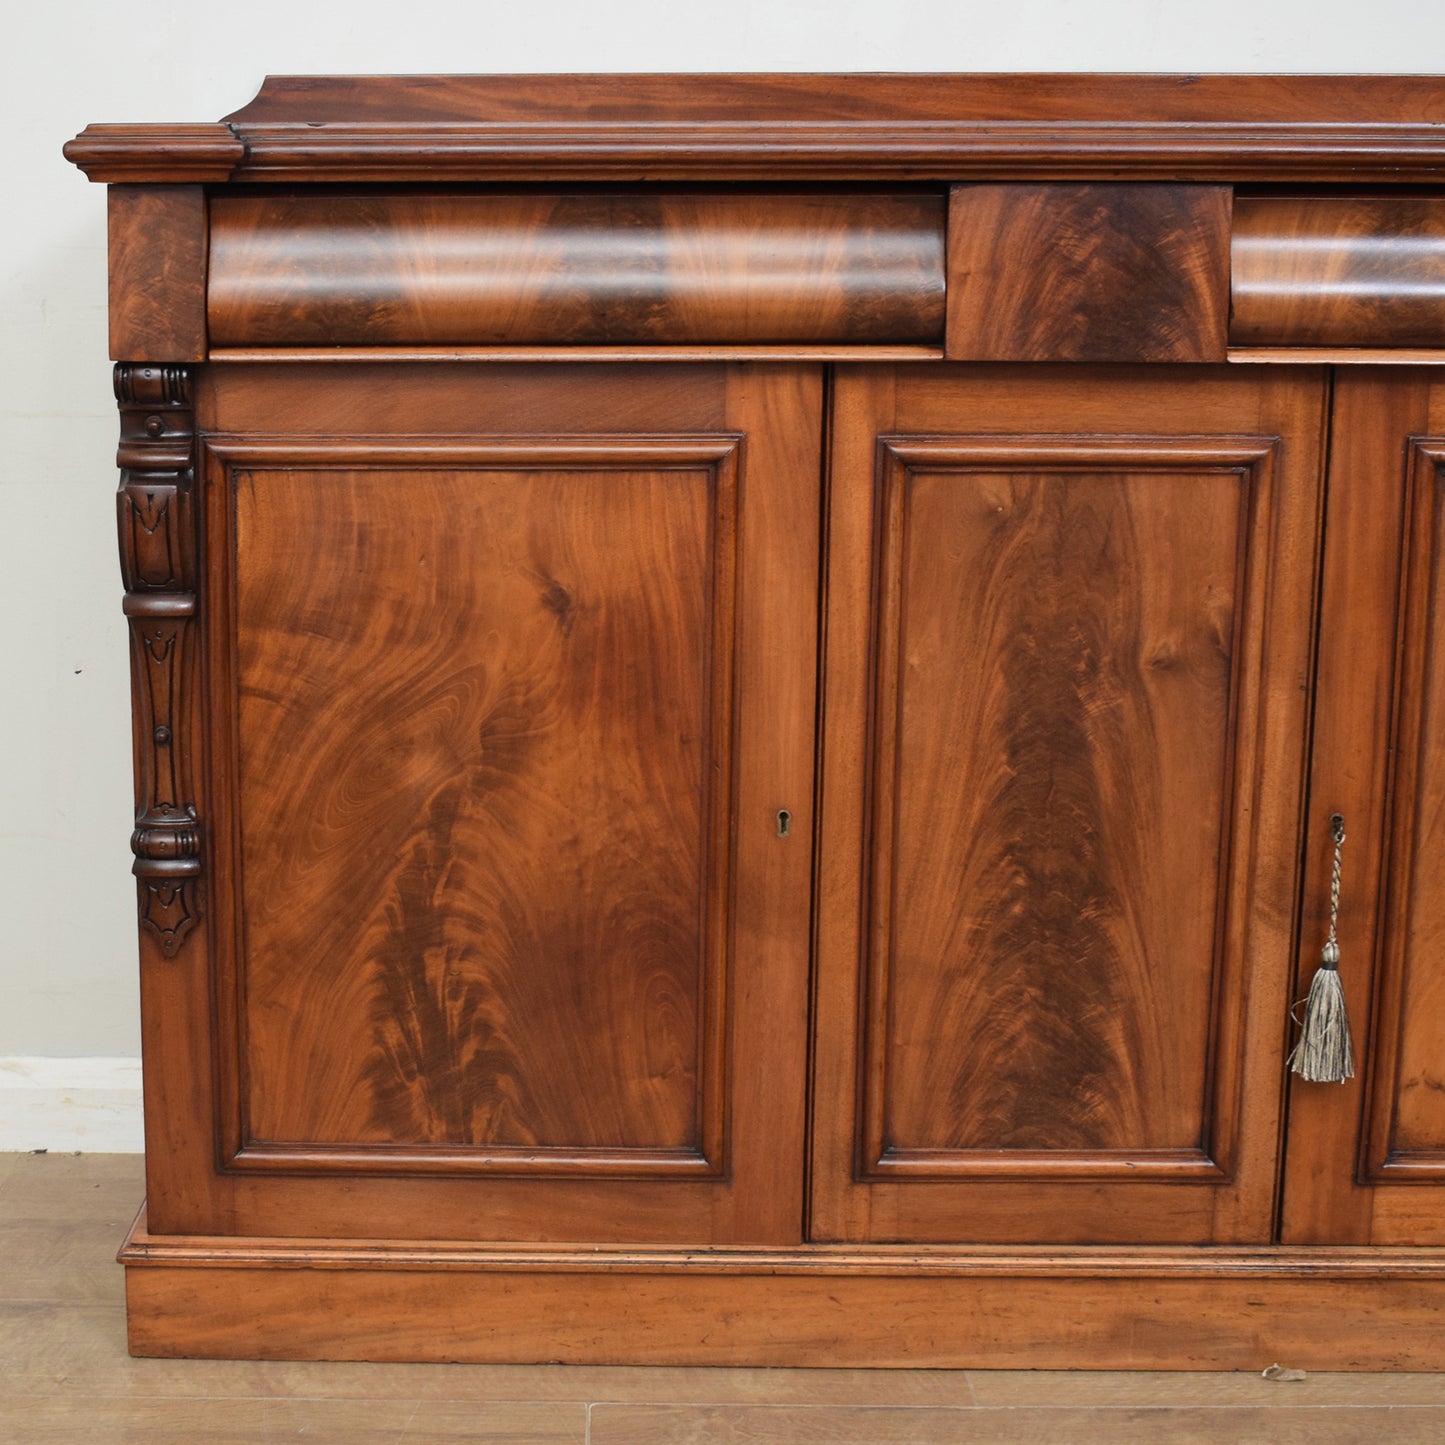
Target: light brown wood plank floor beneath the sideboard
<point>66,1376</point>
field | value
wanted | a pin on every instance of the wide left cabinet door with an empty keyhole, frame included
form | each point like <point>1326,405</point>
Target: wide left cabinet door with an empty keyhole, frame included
<point>511,680</point>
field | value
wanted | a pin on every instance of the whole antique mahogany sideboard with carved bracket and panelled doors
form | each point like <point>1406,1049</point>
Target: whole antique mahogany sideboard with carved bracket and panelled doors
<point>741,691</point>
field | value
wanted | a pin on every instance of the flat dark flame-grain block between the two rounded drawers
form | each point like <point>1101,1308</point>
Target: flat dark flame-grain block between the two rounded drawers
<point>1089,274</point>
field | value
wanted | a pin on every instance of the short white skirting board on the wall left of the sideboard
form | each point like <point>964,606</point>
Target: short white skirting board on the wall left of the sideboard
<point>70,1105</point>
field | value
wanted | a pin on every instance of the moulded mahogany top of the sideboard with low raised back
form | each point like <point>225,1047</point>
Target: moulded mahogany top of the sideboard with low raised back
<point>1327,129</point>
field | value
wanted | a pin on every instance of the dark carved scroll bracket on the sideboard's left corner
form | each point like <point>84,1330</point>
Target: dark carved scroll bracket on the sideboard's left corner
<point>155,512</point>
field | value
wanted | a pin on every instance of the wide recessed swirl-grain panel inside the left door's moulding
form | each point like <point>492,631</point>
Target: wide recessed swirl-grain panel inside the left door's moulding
<point>476,712</point>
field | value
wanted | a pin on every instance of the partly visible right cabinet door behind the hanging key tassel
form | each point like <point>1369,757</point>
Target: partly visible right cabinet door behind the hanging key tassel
<point>1368,1160</point>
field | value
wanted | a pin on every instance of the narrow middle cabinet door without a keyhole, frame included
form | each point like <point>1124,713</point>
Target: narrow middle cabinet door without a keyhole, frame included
<point>1067,661</point>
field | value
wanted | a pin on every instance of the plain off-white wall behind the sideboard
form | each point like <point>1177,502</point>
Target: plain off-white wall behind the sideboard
<point>67,913</point>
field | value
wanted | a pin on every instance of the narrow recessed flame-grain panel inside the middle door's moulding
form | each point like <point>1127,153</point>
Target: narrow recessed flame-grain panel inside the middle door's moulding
<point>1063,700</point>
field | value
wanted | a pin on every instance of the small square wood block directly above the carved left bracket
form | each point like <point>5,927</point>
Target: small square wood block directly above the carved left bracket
<point>158,252</point>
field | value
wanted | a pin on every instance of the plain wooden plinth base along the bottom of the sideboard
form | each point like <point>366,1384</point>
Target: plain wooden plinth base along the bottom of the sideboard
<point>1103,1308</point>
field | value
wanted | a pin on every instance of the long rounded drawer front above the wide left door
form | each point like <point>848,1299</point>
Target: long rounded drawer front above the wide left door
<point>580,269</point>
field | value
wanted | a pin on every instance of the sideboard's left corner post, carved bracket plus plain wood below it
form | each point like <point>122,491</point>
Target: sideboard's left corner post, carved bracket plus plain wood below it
<point>160,560</point>
